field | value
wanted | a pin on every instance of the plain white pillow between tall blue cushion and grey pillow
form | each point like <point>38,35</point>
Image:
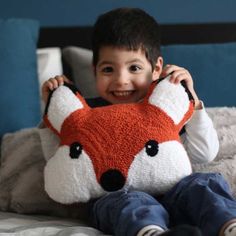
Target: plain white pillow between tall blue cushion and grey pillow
<point>49,65</point>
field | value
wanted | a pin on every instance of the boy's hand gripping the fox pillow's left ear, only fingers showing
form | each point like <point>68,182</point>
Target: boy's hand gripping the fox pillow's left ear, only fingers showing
<point>52,84</point>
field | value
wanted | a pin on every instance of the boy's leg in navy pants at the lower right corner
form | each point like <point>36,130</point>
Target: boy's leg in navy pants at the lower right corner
<point>203,200</point>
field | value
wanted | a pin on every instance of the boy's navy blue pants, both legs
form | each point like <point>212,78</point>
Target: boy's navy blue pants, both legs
<point>202,200</point>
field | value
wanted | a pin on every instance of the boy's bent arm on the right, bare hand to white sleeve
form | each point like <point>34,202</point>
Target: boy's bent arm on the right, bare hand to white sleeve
<point>200,139</point>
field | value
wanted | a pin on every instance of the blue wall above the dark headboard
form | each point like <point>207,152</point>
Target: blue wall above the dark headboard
<point>85,12</point>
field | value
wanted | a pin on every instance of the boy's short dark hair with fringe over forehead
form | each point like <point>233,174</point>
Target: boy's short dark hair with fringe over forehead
<point>130,28</point>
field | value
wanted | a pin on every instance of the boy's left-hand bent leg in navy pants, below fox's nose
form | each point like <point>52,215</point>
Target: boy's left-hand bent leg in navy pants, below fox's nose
<point>125,213</point>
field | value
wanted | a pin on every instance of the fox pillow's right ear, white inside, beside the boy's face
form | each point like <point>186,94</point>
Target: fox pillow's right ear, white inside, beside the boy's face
<point>174,99</point>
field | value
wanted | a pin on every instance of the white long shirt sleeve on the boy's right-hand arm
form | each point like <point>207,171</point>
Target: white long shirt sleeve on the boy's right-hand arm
<point>200,139</point>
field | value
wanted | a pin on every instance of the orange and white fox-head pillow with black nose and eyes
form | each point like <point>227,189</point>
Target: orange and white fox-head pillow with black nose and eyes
<point>107,148</point>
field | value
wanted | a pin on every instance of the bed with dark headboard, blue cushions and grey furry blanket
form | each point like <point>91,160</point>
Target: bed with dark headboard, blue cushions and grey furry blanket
<point>207,50</point>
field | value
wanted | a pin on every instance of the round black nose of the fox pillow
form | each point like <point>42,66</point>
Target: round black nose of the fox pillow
<point>112,180</point>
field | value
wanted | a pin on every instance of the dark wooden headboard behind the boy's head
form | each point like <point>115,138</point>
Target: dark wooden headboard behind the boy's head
<point>170,34</point>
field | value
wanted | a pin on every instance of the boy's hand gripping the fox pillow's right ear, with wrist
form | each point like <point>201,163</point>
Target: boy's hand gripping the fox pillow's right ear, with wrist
<point>181,74</point>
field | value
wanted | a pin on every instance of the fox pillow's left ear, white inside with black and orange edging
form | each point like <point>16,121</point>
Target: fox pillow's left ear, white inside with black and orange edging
<point>61,103</point>
